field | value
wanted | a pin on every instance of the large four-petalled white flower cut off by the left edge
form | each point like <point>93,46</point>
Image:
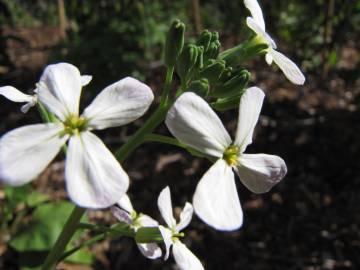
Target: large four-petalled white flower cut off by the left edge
<point>94,178</point>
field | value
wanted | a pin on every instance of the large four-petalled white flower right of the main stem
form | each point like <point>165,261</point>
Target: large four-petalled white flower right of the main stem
<point>194,123</point>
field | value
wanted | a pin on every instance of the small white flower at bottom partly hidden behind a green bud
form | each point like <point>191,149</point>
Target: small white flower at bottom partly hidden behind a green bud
<point>136,221</point>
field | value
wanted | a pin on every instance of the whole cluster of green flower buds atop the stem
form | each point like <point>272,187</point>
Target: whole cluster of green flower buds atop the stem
<point>203,70</point>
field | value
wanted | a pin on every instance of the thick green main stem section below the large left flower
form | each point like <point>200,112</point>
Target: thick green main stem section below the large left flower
<point>64,238</point>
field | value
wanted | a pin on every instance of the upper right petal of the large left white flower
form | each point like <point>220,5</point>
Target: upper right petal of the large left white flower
<point>119,104</point>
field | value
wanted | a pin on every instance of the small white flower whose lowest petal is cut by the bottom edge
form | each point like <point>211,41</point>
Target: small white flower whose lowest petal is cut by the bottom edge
<point>184,258</point>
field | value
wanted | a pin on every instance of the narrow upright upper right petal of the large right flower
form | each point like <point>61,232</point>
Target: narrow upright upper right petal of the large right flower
<point>249,110</point>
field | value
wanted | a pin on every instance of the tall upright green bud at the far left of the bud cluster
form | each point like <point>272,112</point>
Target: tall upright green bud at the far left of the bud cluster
<point>174,42</point>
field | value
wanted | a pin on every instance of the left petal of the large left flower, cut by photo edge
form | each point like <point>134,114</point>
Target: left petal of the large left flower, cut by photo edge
<point>26,151</point>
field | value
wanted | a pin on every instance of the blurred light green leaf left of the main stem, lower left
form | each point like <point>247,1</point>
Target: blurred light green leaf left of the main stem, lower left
<point>44,228</point>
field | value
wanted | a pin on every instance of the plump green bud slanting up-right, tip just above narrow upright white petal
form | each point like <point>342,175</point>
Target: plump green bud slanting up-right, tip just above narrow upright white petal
<point>233,86</point>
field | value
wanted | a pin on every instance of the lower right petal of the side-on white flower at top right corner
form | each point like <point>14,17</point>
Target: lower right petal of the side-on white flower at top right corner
<point>288,67</point>
